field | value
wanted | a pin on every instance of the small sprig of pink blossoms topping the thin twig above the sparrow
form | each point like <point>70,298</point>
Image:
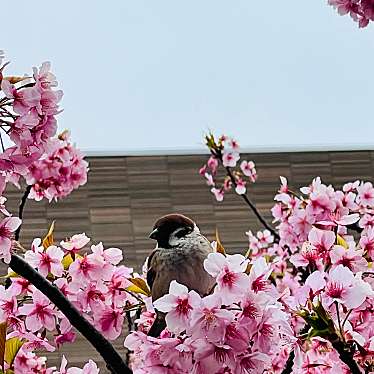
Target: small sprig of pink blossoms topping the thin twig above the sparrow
<point>225,151</point>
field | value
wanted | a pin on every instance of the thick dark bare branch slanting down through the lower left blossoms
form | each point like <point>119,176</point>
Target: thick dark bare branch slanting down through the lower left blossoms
<point>113,360</point>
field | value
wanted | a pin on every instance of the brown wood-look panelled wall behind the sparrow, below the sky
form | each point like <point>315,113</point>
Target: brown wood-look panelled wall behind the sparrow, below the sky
<point>124,196</point>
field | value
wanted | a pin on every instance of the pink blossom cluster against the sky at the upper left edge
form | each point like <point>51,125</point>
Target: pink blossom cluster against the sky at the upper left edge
<point>27,116</point>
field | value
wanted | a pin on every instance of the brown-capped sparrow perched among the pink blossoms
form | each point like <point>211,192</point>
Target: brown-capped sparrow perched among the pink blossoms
<point>179,255</point>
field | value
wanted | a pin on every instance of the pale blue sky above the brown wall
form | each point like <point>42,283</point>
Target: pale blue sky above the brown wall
<point>140,75</point>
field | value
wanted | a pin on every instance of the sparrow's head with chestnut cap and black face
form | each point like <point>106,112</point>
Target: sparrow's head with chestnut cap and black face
<point>176,225</point>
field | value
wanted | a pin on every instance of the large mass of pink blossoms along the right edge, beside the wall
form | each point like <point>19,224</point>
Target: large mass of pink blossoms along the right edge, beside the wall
<point>323,262</point>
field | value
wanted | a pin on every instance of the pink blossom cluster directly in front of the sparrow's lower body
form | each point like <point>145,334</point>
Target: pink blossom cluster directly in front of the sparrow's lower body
<point>239,328</point>
